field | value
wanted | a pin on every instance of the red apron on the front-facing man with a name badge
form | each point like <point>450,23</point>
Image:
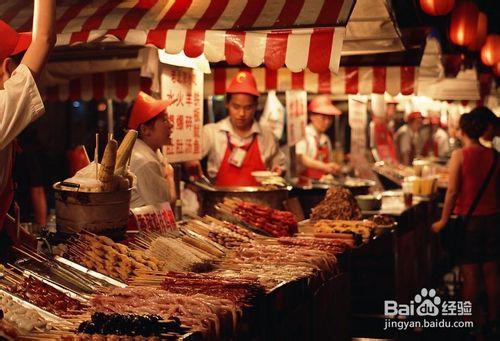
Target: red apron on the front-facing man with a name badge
<point>229,175</point>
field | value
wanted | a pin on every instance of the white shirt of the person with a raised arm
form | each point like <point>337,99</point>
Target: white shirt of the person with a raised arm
<point>20,104</point>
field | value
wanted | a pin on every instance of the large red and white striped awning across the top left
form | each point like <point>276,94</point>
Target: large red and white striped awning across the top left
<point>297,33</point>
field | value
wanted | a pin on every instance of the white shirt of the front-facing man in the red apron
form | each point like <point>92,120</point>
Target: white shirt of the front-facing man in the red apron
<point>215,143</point>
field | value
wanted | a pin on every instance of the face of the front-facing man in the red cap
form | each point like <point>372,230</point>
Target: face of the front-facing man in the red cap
<point>241,109</point>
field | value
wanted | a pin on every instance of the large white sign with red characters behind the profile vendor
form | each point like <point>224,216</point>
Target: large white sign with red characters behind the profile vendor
<point>185,86</point>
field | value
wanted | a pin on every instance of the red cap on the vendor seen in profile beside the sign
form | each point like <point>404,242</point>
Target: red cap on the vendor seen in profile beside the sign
<point>145,108</point>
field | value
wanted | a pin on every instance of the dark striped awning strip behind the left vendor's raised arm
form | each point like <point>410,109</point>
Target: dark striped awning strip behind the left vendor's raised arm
<point>116,85</point>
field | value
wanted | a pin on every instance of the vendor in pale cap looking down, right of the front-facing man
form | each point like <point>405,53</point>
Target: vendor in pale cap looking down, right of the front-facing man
<point>314,152</point>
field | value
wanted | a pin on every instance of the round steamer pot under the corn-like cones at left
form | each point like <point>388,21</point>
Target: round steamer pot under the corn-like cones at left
<point>98,212</point>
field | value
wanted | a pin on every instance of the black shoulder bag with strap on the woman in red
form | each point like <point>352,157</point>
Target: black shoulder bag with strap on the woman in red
<point>452,236</point>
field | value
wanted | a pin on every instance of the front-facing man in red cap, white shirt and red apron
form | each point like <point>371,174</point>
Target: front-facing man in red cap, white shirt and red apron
<point>237,145</point>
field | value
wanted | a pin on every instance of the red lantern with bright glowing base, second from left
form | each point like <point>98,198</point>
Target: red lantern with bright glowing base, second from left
<point>463,25</point>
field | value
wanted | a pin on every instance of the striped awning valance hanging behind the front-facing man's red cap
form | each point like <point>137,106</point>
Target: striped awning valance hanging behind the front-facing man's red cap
<point>348,80</point>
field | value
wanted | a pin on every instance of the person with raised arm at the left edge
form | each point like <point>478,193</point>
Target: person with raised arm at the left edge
<point>20,101</point>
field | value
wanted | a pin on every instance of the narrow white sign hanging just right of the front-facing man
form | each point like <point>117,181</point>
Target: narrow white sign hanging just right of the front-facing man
<point>296,110</point>
